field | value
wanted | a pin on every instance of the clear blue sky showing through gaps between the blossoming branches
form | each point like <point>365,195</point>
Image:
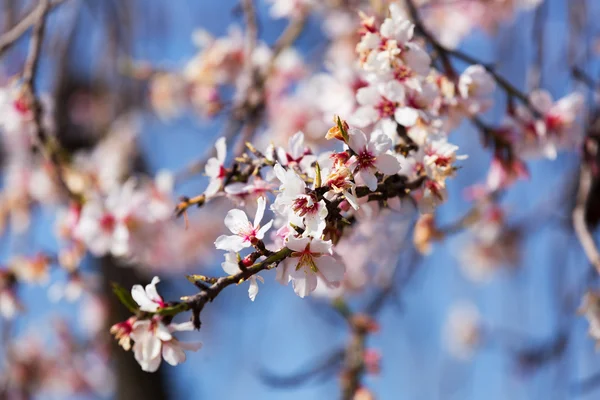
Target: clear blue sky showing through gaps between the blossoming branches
<point>284,333</point>
